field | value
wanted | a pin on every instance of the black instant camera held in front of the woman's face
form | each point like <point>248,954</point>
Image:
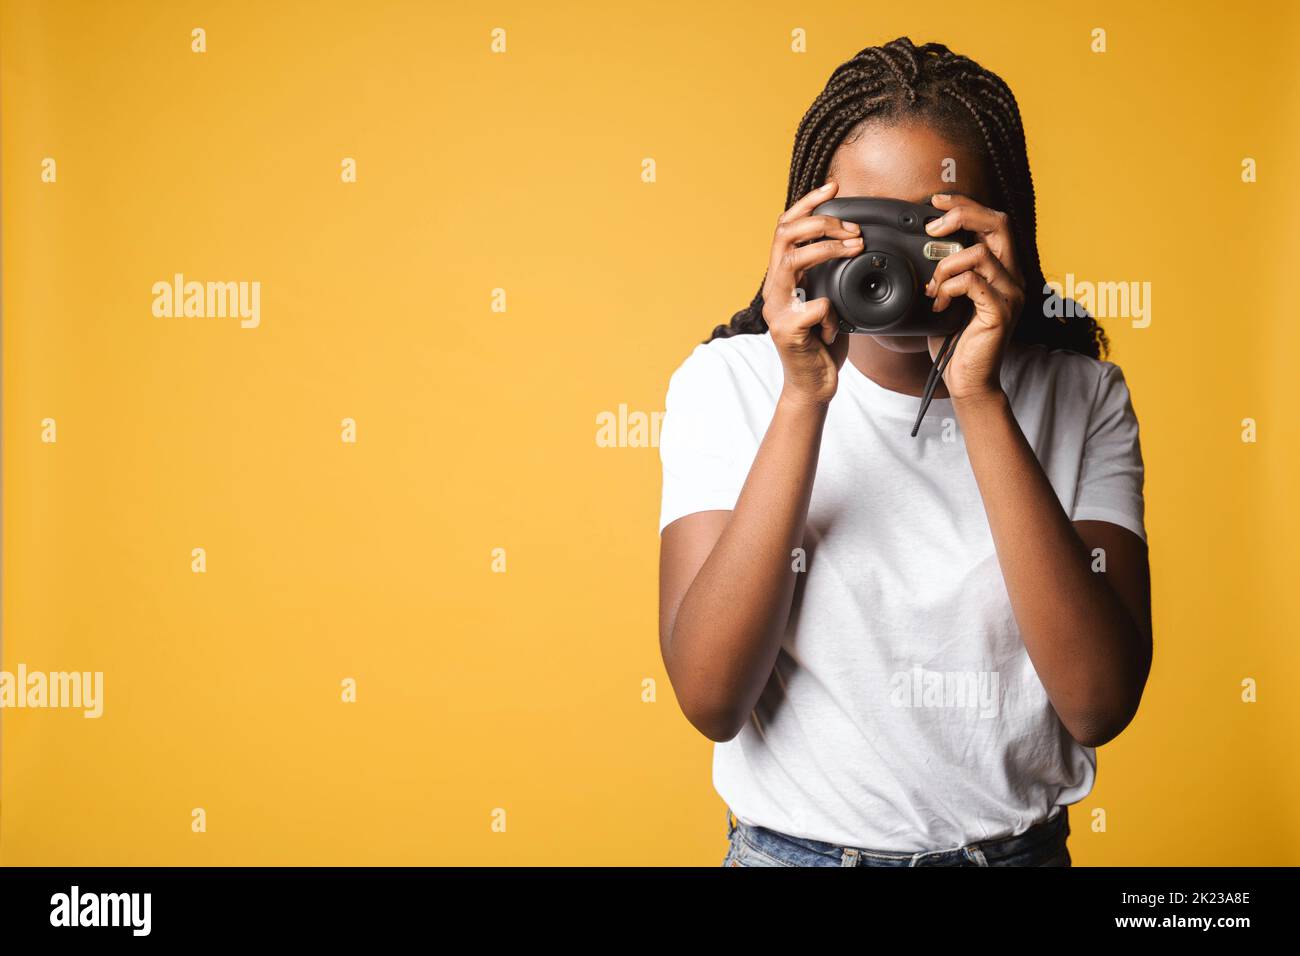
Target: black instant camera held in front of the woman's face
<point>881,292</point>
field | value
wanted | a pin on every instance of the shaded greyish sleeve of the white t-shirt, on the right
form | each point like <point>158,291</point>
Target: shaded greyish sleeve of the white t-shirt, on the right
<point>1111,477</point>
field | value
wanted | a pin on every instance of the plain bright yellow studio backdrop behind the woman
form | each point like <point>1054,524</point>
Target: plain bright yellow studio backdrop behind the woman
<point>497,282</point>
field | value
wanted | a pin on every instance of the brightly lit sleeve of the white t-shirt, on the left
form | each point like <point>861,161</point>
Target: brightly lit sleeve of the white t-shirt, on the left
<point>709,436</point>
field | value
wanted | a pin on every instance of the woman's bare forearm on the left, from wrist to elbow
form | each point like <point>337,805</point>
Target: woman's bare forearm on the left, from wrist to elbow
<point>729,629</point>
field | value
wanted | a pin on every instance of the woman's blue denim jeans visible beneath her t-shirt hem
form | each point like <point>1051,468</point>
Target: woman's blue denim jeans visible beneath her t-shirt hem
<point>1043,845</point>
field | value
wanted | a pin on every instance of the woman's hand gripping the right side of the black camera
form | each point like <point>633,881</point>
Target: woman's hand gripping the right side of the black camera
<point>989,275</point>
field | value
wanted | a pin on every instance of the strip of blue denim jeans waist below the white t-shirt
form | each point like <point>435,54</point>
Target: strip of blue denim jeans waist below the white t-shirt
<point>1042,841</point>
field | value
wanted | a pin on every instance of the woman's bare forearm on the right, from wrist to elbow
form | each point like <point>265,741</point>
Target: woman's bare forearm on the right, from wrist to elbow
<point>1084,643</point>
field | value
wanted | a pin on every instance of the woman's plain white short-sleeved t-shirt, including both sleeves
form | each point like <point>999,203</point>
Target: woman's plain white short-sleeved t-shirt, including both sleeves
<point>904,712</point>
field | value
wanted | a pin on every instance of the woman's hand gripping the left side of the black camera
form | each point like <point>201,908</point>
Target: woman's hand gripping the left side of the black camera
<point>807,335</point>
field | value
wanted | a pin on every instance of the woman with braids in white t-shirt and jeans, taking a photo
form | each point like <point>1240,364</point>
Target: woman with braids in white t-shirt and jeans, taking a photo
<point>905,648</point>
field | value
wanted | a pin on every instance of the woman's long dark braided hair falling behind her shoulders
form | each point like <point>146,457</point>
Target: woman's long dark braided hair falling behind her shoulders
<point>961,100</point>
